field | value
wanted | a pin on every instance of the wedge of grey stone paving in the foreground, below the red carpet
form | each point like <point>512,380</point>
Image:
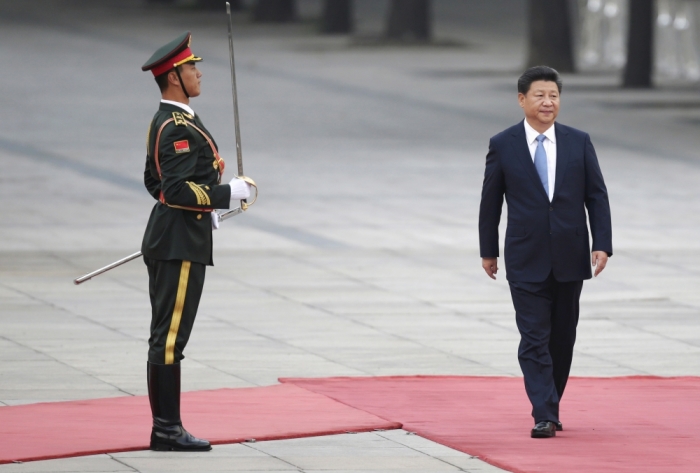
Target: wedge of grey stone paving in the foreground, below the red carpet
<point>366,452</point>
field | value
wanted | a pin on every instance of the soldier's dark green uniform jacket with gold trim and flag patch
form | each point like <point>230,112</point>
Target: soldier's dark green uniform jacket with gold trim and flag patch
<point>185,181</point>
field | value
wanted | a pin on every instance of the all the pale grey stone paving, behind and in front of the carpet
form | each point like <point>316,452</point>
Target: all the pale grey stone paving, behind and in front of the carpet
<point>361,257</point>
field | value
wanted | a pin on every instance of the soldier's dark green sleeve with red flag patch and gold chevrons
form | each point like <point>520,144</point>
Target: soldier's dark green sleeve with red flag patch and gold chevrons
<point>178,160</point>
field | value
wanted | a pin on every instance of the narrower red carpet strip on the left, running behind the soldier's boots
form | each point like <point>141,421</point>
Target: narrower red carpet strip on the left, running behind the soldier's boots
<point>67,429</point>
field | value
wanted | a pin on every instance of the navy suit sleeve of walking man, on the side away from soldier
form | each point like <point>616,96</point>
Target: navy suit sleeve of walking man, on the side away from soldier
<point>597,202</point>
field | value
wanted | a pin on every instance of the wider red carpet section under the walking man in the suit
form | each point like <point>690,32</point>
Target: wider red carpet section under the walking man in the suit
<point>630,424</point>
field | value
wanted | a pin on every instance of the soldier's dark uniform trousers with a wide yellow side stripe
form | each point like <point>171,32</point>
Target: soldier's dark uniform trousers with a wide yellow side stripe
<point>175,287</point>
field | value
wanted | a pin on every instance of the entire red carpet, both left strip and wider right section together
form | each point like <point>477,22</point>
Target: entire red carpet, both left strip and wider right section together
<point>635,424</point>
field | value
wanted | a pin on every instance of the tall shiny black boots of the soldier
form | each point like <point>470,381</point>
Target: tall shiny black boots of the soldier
<point>164,393</point>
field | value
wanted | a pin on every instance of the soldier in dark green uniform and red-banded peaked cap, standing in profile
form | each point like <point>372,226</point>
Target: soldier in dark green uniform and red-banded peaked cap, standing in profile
<point>183,173</point>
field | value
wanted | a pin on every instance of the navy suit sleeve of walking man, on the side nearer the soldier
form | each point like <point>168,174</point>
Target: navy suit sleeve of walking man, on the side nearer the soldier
<point>491,204</point>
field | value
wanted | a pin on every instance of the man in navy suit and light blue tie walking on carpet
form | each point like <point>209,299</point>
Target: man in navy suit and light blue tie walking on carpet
<point>550,177</point>
